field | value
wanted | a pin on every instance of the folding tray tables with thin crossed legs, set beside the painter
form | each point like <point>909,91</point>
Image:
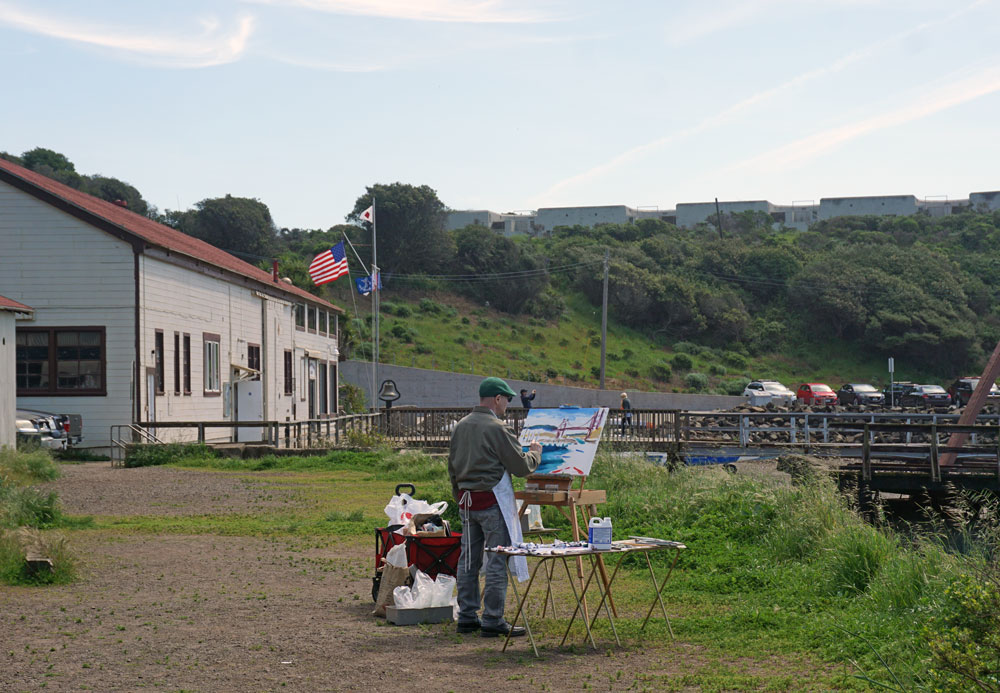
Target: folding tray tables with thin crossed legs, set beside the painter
<point>621,548</point>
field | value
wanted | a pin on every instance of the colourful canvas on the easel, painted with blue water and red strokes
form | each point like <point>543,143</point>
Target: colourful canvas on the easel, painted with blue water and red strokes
<point>568,436</point>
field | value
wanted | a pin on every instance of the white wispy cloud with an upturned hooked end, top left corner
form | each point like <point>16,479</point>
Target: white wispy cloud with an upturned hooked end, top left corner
<point>210,47</point>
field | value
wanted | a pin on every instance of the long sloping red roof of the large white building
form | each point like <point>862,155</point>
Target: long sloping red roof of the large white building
<point>148,230</point>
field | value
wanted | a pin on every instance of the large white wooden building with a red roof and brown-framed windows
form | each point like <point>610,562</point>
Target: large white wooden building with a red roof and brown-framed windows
<point>136,321</point>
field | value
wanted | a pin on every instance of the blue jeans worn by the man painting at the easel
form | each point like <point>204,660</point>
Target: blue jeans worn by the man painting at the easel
<point>484,528</point>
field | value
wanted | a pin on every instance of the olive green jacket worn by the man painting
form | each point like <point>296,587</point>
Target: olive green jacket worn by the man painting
<point>482,447</point>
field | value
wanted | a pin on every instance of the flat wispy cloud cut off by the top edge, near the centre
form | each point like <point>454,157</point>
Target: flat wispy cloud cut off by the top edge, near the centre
<point>483,12</point>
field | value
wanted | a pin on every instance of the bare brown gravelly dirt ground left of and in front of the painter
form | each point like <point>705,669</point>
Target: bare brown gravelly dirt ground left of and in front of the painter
<point>220,613</point>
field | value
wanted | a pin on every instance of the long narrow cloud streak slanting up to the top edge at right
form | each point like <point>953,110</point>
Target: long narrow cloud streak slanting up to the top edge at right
<point>730,113</point>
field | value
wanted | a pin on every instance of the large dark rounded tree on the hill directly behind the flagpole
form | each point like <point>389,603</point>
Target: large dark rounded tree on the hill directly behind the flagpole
<point>410,223</point>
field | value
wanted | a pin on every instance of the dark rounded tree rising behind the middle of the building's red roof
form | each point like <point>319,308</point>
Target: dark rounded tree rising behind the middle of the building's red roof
<point>239,224</point>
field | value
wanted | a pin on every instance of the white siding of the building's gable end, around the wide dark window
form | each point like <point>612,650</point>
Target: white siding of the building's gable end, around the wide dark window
<point>72,274</point>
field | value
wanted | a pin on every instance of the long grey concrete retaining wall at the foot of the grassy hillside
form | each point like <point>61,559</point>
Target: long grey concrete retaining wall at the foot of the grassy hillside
<point>427,388</point>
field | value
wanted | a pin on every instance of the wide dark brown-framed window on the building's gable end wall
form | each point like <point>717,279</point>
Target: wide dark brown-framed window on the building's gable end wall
<point>60,361</point>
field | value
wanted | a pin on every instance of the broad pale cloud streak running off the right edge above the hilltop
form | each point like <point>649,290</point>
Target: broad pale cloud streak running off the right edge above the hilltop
<point>948,93</point>
